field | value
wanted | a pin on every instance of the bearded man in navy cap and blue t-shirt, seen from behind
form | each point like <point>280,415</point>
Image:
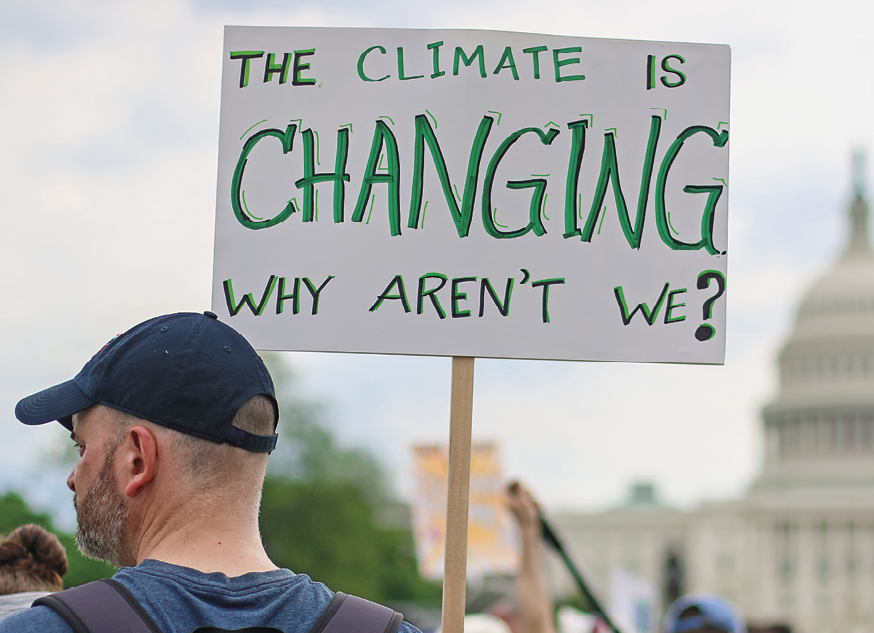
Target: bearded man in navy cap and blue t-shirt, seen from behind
<point>173,421</point>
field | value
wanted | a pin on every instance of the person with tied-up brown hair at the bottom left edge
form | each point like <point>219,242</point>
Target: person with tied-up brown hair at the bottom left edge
<point>32,564</point>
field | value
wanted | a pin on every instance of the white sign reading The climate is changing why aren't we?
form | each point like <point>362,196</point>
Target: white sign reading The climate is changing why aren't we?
<point>473,193</point>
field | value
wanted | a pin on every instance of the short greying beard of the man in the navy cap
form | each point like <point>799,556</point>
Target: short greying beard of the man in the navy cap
<point>102,515</point>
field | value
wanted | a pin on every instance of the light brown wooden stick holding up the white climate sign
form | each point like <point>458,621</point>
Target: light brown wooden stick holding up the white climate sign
<point>458,498</point>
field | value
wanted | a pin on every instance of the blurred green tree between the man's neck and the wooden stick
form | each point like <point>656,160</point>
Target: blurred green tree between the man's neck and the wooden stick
<point>320,513</point>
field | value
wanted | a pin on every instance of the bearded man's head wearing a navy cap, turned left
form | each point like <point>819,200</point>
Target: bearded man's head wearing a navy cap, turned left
<point>183,387</point>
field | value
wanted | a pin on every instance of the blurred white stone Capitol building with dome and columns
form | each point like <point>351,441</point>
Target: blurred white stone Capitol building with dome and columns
<point>798,547</point>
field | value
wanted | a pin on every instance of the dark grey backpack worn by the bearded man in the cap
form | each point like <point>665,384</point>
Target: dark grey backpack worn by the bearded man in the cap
<point>106,606</point>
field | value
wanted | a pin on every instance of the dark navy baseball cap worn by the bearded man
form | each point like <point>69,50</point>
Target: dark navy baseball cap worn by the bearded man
<point>188,372</point>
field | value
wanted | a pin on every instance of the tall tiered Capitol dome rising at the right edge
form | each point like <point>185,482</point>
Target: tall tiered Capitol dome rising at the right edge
<point>820,428</point>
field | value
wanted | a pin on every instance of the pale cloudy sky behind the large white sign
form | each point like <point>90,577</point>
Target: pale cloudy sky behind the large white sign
<point>109,116</point>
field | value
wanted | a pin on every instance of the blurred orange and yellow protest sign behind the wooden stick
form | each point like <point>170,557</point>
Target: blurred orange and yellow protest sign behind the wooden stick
<point>493,541</point>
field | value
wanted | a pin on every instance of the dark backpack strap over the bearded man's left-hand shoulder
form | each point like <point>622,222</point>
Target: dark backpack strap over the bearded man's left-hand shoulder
<point>102,606</point>
